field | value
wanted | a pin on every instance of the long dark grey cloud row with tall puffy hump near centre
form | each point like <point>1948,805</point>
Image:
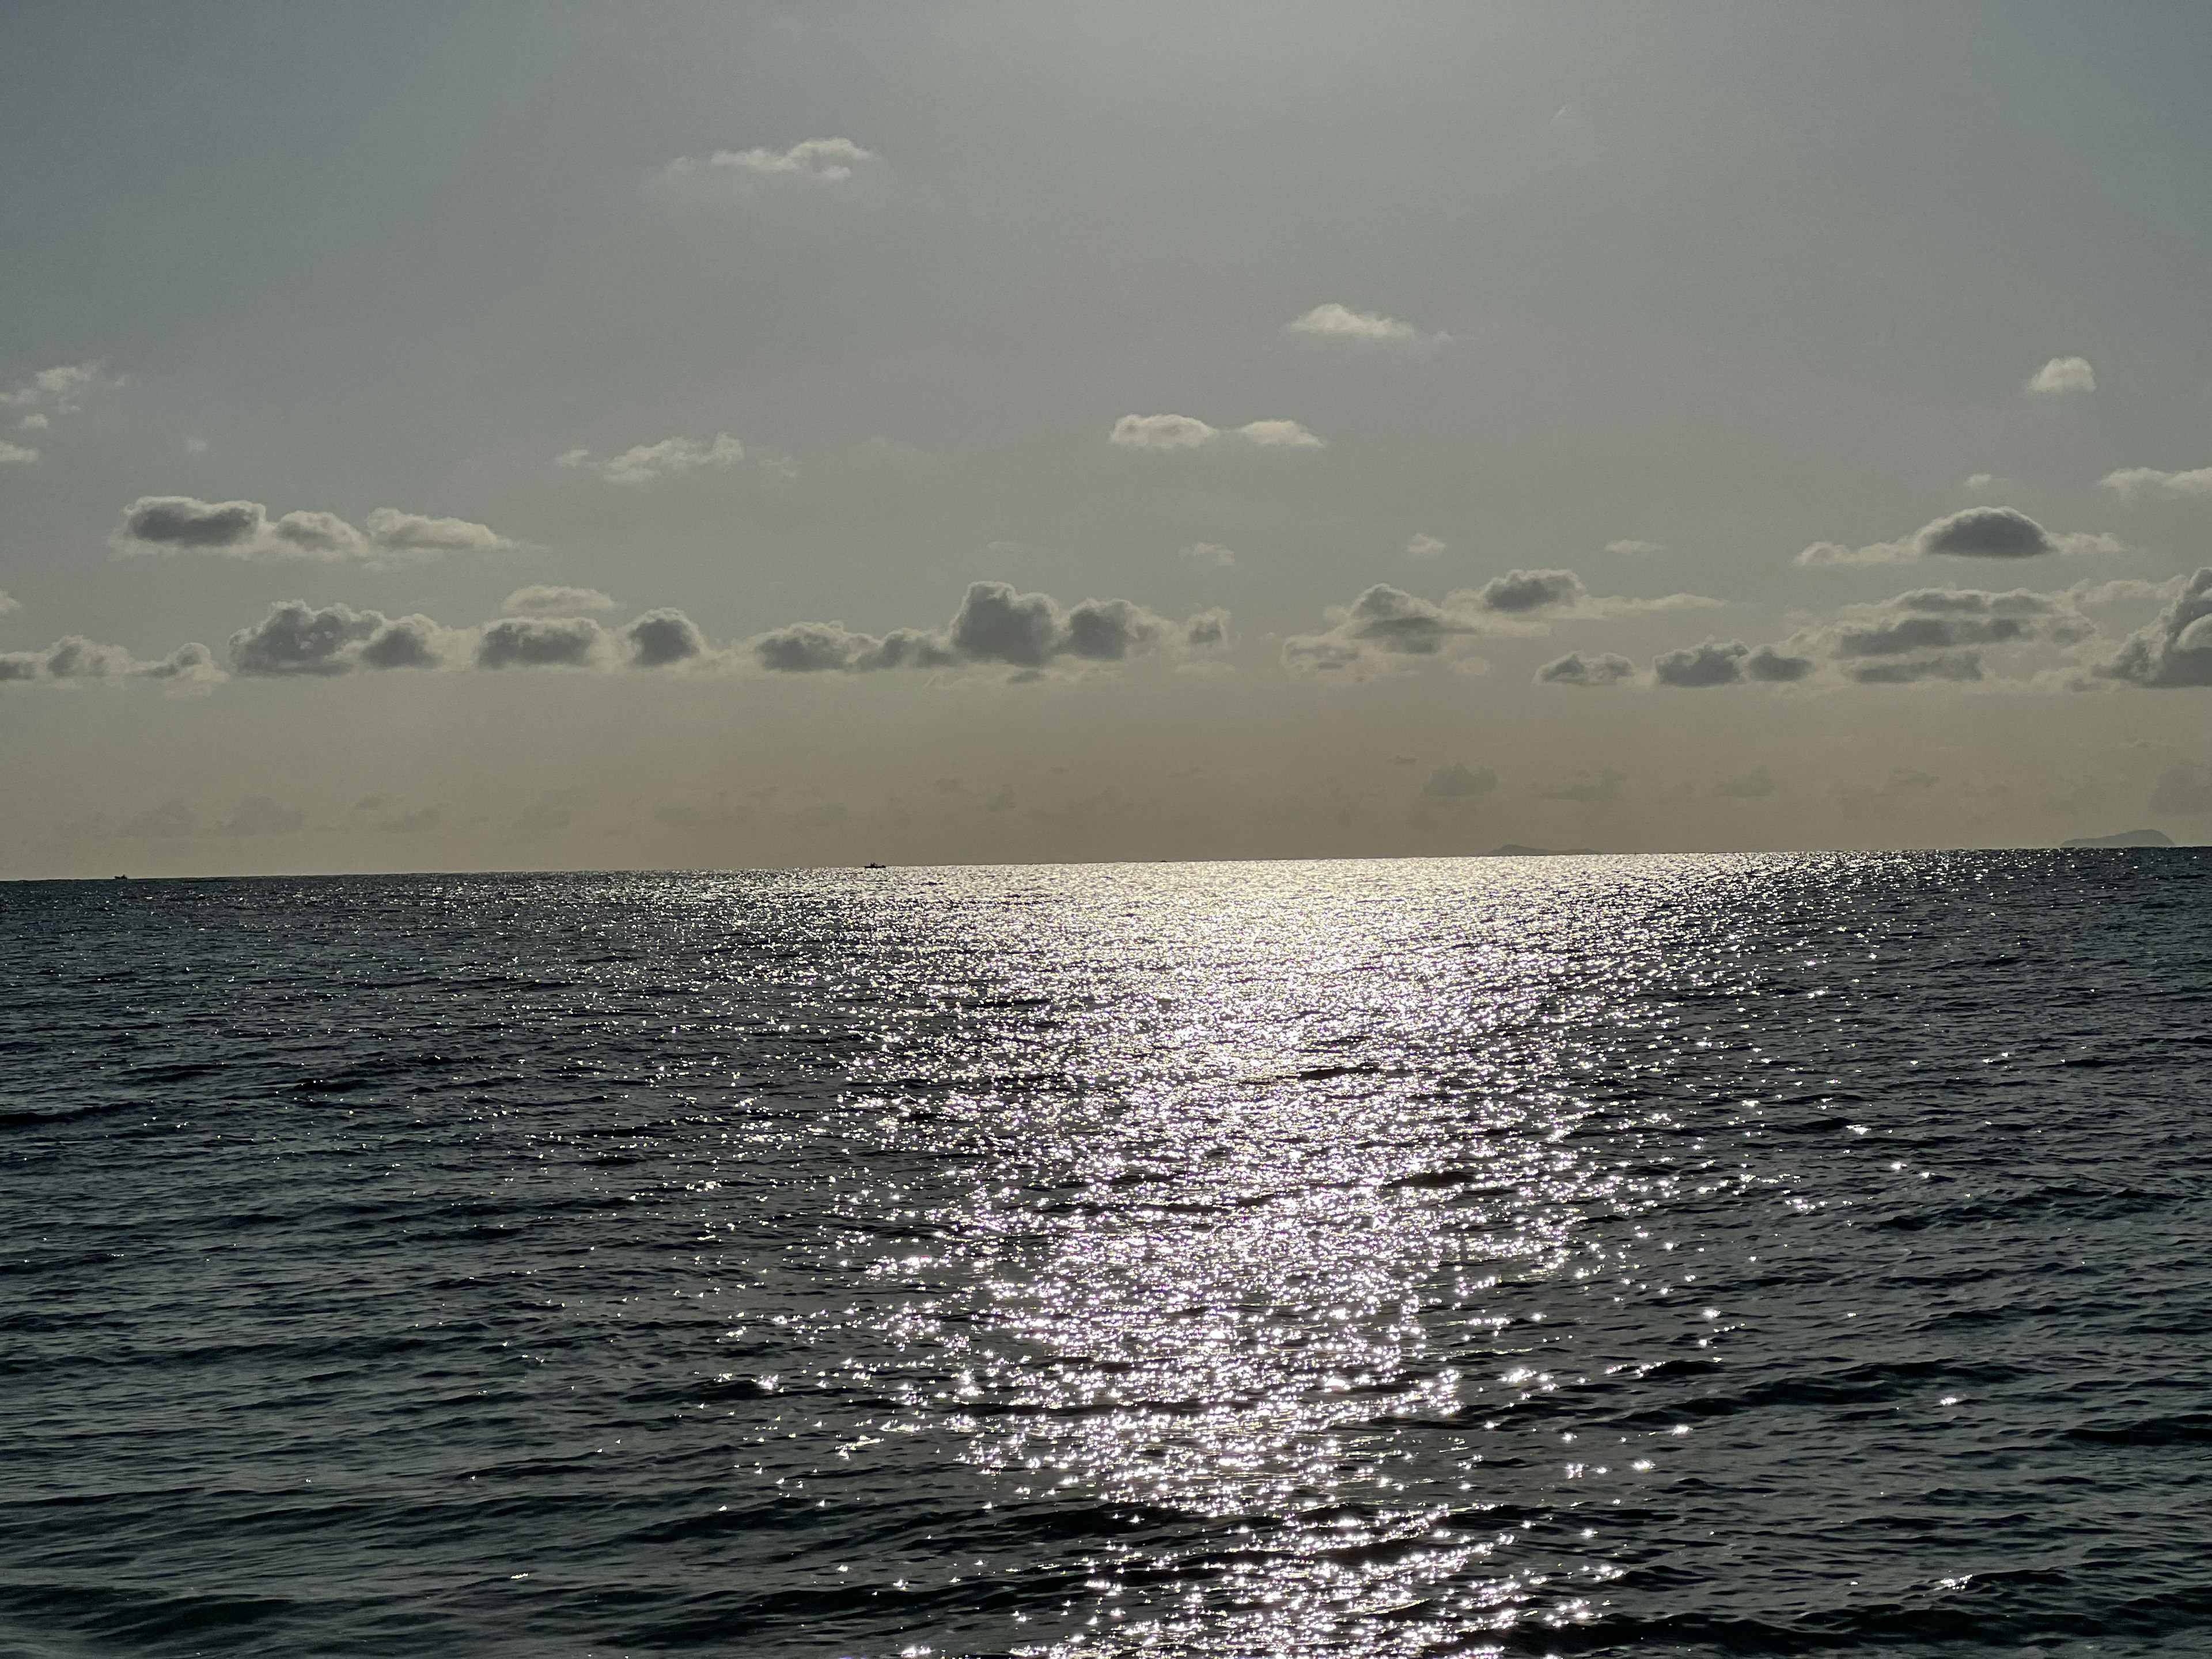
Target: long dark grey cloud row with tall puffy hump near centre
<point>994,627</point>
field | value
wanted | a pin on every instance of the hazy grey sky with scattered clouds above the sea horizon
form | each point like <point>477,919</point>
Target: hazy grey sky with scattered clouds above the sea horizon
<point>483,437</point>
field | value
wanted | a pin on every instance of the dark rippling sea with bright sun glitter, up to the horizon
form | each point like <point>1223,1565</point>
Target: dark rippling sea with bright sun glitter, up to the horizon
<point>1532,1258</point>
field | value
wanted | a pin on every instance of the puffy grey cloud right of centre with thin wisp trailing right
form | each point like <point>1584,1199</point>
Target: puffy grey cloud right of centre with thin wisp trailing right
<point>1388,623</point>
